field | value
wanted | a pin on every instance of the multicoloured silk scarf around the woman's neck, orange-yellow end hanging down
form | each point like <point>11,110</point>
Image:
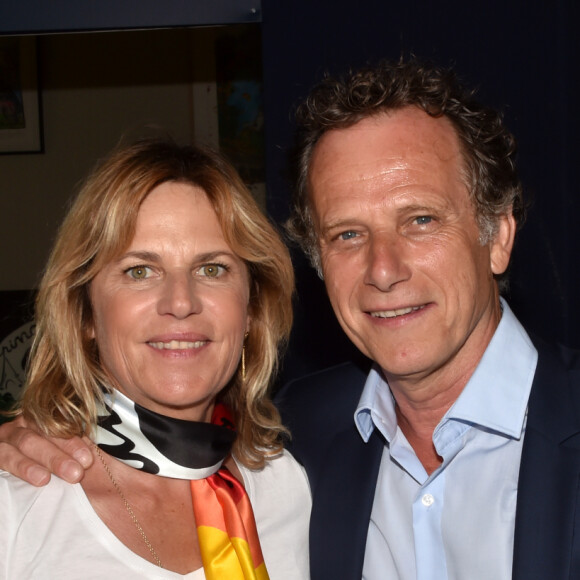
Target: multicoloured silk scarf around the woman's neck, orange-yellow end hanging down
<point>145,440</point>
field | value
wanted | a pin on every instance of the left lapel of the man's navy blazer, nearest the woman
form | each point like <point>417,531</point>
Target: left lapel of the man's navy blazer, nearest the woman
<point>342,503</point>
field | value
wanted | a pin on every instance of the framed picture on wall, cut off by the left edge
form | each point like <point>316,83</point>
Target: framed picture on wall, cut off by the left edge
<point>20,118</point>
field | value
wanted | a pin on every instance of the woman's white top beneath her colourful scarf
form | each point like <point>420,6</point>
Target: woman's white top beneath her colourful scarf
<point>53,531</point>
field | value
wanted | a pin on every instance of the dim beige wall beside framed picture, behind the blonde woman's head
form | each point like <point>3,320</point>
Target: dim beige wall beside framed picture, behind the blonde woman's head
<point>94,88</point>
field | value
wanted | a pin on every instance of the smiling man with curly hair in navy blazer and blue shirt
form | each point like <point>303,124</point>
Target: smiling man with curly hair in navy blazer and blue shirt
<point>457,454</point>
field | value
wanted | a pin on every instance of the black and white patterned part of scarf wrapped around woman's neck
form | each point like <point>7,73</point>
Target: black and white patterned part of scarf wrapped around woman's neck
<point>158,444</point>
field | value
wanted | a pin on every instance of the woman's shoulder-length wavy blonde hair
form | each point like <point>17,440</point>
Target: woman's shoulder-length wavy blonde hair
<point>65,375</point>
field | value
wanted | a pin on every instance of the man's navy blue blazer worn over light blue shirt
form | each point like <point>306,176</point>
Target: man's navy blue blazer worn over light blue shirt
<point>343,470</point>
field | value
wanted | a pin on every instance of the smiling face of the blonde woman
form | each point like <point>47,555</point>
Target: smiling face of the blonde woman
<point>171,312</point>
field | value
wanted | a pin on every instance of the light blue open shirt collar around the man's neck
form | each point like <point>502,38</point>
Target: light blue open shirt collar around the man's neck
<point>495,396</point>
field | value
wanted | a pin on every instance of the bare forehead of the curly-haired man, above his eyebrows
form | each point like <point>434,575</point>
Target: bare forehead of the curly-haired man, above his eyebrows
<point>389,153</point>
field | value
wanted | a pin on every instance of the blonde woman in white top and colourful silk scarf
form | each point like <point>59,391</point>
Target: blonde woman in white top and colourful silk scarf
<point>159,318</point>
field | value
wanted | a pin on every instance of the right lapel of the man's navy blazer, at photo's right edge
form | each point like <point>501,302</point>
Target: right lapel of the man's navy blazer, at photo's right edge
<point>548,487</point>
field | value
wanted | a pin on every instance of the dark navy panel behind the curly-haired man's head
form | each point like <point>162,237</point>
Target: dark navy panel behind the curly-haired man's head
<point>524,57</point>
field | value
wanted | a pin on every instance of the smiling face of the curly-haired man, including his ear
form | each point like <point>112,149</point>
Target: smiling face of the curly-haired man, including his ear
<point>408,279</point>
